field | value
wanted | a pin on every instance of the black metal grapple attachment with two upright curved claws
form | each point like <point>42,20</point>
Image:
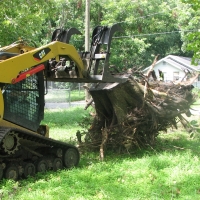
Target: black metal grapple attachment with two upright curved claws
<point>96,61</point>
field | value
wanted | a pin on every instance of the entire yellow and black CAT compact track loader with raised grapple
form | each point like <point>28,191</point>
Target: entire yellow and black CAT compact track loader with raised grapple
<point>25,146</point>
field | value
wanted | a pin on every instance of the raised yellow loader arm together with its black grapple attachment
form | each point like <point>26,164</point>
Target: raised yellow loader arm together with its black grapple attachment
<point>61,61</point>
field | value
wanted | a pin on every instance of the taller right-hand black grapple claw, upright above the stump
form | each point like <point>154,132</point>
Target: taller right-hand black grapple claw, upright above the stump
<point>97,60</point>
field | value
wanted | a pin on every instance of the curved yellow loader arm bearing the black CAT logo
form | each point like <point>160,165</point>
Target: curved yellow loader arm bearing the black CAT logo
<point>14,65</point>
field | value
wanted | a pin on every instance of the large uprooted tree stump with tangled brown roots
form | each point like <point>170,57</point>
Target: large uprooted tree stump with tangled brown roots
<point>132,119</point>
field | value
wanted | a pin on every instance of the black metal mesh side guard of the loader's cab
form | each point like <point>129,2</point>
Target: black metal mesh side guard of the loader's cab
<point>24,102</point>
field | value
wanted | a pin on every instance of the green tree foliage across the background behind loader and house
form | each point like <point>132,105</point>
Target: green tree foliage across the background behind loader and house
<point>149,27</point>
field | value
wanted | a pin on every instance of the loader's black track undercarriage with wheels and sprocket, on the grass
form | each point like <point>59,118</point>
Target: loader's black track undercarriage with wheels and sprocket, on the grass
<point>23,154</point>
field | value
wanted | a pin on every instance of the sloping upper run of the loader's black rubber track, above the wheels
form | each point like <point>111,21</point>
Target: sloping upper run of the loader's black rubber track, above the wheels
<point>36,138</point>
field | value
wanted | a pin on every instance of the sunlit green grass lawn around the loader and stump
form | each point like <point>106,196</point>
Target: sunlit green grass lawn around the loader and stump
<point>170,170</point>
